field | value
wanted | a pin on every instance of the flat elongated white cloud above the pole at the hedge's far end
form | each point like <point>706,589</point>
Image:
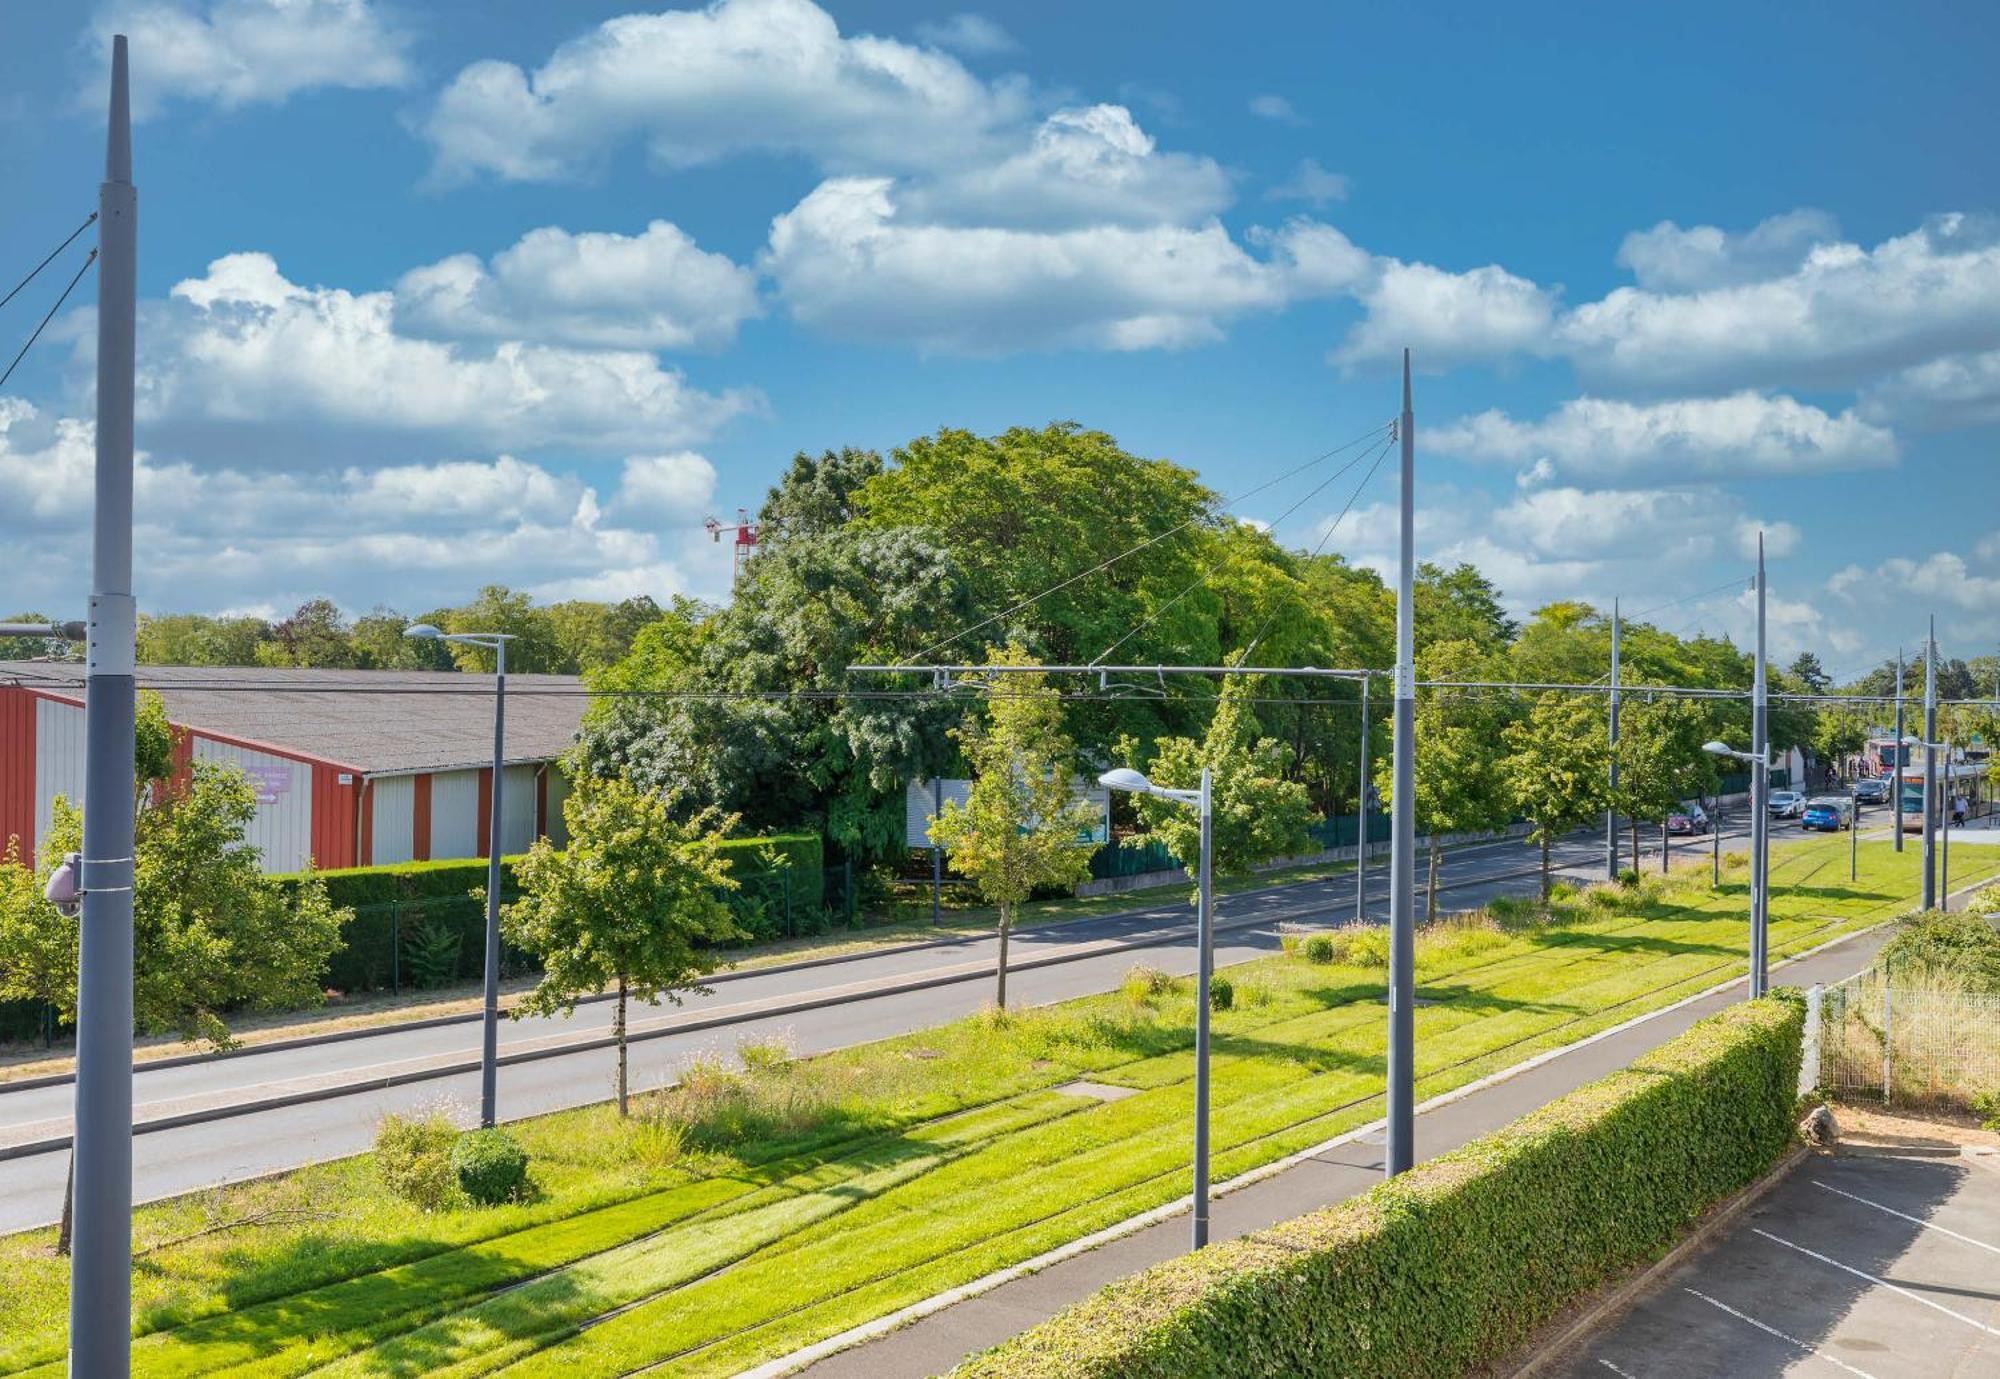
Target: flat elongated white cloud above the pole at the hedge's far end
<point>1691,439</point>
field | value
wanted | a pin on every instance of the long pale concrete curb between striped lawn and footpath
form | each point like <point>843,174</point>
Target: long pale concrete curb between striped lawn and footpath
<point>917,1312</point>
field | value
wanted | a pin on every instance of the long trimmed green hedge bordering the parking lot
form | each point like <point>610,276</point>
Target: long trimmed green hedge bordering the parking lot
<point>1459,1262</point>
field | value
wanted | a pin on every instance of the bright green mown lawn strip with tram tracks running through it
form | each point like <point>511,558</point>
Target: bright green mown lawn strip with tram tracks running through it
<point>747,1214</point>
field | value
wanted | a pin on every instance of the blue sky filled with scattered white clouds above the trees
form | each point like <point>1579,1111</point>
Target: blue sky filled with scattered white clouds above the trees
<point>449,295</point>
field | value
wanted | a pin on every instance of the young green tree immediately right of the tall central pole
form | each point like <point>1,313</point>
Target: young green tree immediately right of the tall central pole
<point>1459,756</point>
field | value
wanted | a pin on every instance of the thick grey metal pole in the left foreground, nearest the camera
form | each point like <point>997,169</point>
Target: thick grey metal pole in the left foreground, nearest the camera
<point>101,1252</point>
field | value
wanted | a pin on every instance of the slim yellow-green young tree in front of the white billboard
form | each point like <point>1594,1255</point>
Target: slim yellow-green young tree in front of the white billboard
<point>1021,822</point>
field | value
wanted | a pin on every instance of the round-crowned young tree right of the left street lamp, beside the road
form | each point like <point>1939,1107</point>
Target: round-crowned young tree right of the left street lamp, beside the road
<point>631,902</point>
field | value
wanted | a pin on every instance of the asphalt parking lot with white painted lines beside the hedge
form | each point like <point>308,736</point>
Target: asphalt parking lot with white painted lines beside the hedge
<point>1861,1264</point>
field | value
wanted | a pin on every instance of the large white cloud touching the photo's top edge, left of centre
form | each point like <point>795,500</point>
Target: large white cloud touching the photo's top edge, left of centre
<point>739,77</point>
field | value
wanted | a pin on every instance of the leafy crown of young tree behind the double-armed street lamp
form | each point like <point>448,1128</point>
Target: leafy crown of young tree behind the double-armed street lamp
<point>1257,812</point>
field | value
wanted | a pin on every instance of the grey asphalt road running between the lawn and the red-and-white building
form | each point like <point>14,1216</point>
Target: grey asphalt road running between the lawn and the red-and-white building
<point>949,982</point>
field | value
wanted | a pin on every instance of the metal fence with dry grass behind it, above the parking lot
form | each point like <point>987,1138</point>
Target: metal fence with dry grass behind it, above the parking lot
<point>1909,1044</point>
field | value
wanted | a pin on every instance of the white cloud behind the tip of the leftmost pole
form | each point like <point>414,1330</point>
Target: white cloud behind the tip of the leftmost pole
<point>247,53</point>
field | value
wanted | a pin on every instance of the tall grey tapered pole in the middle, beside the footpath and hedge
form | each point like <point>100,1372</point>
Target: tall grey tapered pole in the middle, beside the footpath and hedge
<point>1401,1140</point>
